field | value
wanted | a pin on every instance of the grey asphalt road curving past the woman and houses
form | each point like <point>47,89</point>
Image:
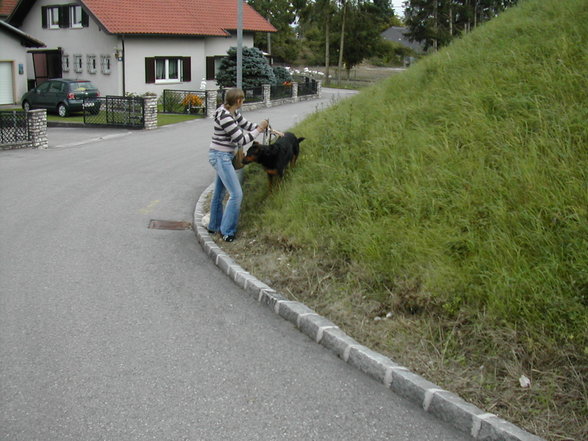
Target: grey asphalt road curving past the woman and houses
<point>113,331</point>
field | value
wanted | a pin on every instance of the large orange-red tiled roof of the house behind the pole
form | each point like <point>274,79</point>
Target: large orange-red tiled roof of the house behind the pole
<point>174,17</point>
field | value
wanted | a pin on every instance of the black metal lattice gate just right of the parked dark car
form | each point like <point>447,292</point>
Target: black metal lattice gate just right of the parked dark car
<point>115,111</point>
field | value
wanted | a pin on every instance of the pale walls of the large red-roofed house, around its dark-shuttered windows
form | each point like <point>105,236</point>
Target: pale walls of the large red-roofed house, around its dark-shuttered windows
<point>93,40</point>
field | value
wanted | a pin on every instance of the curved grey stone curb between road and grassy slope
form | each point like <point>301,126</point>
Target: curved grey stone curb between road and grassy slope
<point>443,404</point>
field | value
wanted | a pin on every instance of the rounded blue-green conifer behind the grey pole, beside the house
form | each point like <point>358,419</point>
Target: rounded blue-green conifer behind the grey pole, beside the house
<point>256,69</point>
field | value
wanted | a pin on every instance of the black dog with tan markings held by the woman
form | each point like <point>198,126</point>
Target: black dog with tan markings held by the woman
<point>274,158</point>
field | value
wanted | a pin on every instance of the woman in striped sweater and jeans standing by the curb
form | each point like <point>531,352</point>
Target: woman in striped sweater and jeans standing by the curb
<point>231,130</point>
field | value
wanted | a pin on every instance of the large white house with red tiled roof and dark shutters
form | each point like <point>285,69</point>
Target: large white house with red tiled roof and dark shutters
<point>132,46</point>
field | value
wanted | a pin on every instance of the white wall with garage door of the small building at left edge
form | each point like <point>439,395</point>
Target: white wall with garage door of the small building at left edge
<point>13,84</point>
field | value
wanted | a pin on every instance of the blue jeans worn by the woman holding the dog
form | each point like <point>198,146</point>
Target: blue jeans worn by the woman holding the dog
<point>225,221</point>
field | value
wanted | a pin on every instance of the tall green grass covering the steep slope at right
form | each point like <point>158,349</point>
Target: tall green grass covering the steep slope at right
<point>459,191</point>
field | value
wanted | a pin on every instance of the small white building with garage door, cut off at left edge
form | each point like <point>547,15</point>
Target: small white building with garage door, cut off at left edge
<point>13,62</point>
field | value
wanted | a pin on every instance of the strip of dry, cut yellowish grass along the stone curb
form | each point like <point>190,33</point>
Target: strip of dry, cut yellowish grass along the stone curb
<point>445,352</point>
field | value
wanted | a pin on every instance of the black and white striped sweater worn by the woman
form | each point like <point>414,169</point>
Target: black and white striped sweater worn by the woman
<point>231,132</point>
